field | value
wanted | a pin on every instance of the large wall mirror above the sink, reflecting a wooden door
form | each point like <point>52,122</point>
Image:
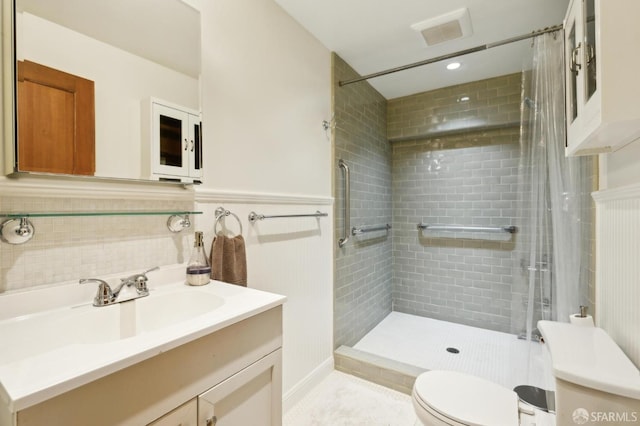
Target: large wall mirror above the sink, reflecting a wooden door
<point>87,75</point>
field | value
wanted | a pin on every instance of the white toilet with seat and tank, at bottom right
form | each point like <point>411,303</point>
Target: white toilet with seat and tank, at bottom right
<point>593,378</point>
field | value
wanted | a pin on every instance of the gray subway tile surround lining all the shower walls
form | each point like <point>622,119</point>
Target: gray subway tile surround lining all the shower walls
<point>449,156</point>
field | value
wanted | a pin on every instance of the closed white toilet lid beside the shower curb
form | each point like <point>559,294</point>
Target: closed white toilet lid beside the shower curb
<point>467,399</point>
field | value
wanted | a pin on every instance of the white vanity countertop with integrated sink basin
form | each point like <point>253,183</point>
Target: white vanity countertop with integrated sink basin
<point>53,340</point>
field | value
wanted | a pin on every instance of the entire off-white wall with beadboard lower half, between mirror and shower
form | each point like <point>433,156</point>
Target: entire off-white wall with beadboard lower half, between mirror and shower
<point>266,90</point>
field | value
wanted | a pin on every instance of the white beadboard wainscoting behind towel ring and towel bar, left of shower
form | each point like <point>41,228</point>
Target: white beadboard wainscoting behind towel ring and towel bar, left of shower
<point>288,256</point>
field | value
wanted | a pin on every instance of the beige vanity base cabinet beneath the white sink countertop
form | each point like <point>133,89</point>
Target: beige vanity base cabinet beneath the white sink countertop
<point>230,377</point>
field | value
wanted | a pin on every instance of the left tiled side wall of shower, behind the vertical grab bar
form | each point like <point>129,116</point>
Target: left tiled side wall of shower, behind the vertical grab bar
<point>363,267</point>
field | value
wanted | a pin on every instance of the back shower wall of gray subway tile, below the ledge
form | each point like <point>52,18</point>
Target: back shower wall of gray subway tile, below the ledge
<point>460,277</point>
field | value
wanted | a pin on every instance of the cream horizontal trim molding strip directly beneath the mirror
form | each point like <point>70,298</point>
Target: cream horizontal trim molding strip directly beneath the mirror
<point>93,190</point>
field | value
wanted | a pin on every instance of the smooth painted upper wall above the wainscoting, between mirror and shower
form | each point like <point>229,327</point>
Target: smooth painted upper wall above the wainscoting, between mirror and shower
<point>266,90</point>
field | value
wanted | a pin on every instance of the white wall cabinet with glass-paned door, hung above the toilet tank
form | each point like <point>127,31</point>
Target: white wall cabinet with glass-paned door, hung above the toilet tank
<point>601,68</point>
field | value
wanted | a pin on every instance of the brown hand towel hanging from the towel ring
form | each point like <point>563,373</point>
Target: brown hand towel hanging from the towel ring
<point>229,260</point>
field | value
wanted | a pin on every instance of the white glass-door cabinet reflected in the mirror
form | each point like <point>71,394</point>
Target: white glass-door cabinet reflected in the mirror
<point>173,142</point>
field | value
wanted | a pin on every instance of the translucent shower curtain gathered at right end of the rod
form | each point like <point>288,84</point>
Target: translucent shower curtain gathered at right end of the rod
<point>550,251</point>
